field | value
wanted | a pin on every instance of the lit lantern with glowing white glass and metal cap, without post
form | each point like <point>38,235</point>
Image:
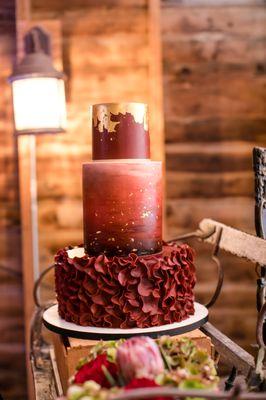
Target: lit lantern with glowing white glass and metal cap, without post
<point>38,89</point>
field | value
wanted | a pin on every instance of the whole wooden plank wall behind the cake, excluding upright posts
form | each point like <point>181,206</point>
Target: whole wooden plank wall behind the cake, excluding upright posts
<point>214,104</point>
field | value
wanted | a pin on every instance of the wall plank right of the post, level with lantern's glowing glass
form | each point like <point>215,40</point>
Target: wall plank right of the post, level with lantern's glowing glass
<point>234,96</point>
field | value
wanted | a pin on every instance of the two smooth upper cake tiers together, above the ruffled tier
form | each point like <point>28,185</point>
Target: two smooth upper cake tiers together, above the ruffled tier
<point>122,187</point>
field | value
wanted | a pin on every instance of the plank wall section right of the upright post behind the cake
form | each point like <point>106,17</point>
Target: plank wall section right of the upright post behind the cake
<point>214,65</point>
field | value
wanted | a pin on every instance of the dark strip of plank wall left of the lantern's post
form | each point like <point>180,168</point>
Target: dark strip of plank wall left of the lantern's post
<point>12,369</point>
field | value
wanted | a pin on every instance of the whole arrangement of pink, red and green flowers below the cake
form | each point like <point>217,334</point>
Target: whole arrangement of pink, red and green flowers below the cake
<point>116,366</point>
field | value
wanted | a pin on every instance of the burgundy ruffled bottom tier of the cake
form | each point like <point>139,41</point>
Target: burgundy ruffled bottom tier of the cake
<point>125,292</point>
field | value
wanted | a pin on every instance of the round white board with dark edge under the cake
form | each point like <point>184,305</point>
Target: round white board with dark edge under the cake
<point>55,323</point>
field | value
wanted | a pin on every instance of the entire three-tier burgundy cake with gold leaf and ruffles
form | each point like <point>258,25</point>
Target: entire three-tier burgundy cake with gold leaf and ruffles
<point>124,276</point>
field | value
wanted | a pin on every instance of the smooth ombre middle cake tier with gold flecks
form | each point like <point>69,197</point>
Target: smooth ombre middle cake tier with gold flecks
<point>122,207</point>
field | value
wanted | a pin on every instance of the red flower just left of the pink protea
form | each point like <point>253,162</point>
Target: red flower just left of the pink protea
<point>93,371</point>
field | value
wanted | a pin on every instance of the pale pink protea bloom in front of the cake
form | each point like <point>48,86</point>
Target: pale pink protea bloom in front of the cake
<point>139,357</point>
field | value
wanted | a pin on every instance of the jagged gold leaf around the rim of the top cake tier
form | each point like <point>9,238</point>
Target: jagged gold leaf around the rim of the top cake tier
<point>101,114</point>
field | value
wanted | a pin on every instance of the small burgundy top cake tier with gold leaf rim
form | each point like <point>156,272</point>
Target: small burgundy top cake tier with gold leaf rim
<point>120,131</point>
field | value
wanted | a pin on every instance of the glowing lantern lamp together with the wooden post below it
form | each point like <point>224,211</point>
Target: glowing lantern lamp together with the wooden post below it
<point>39,107</point>
